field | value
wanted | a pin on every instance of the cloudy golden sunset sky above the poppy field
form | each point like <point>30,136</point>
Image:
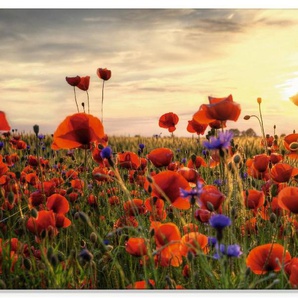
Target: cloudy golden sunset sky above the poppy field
<point>162,60</point>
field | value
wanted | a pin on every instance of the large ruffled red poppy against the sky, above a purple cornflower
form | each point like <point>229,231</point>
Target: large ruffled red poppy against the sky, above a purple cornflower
<point>221,109</point>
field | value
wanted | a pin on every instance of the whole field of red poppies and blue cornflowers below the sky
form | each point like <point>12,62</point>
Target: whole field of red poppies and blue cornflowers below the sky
<point>81,209</point>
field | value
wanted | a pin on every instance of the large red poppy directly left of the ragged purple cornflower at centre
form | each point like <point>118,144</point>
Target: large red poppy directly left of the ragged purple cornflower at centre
<point>166,185</point>
